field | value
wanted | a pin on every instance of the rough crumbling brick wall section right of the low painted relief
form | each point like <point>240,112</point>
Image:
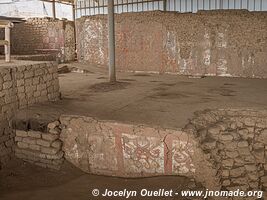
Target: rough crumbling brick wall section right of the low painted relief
<point>236,142</point>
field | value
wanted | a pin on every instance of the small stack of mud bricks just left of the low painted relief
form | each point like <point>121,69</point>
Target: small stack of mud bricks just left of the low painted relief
<point>41,148</point>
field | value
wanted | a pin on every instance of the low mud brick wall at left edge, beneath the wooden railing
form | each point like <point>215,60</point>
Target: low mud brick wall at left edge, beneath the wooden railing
<point>23,84</point>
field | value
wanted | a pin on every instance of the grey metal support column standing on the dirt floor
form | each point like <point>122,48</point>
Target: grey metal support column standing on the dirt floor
<point>111,41</point>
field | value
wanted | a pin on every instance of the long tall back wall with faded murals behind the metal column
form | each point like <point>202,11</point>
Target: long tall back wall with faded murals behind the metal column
<point>212,43</point>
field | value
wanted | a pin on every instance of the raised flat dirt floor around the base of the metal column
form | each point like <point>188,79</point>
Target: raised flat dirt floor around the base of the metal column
<point>159,100</point>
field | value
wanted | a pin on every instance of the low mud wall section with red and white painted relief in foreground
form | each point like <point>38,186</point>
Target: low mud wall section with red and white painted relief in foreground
<point>126,150</point>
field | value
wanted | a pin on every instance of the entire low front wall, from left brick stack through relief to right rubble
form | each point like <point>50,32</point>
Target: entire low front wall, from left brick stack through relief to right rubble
<point>221,149</point>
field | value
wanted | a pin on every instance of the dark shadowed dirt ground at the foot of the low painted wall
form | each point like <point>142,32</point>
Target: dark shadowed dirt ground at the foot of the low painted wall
<point>23,181</point>
